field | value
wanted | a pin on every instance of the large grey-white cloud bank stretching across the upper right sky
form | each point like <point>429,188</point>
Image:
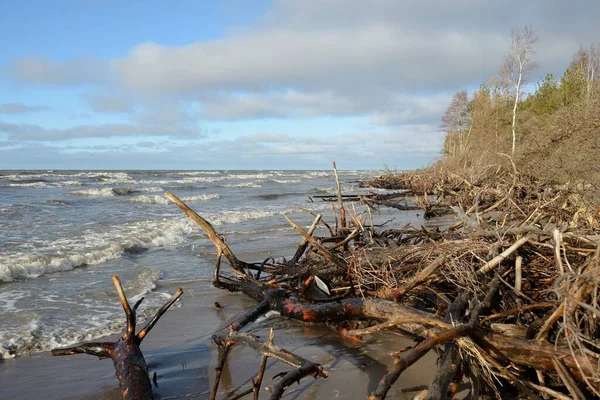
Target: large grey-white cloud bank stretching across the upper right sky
<point>346,46</point>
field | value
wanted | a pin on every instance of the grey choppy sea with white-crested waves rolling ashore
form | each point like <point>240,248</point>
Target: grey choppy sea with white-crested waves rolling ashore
<point>64,233</point>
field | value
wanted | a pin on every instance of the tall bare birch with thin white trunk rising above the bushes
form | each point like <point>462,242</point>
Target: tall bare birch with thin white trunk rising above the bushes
<point>518,64</point>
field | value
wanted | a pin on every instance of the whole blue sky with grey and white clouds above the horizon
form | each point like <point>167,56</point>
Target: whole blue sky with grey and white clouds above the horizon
<point>244,84</point>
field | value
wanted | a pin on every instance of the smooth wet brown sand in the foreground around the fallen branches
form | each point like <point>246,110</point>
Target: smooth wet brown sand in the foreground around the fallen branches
<point>180,350</point>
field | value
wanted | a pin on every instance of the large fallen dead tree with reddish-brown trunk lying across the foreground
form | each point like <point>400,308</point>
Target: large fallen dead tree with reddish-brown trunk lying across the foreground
<point>275,292</point>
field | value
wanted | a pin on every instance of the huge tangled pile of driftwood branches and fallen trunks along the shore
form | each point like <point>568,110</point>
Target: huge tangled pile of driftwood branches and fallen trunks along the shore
<point>508,294</point>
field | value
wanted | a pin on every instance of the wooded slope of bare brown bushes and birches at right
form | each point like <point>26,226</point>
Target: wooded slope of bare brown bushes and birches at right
<point>552,133</point>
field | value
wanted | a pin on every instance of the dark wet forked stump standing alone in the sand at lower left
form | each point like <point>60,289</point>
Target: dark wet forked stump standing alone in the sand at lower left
<point>127,357</point>
